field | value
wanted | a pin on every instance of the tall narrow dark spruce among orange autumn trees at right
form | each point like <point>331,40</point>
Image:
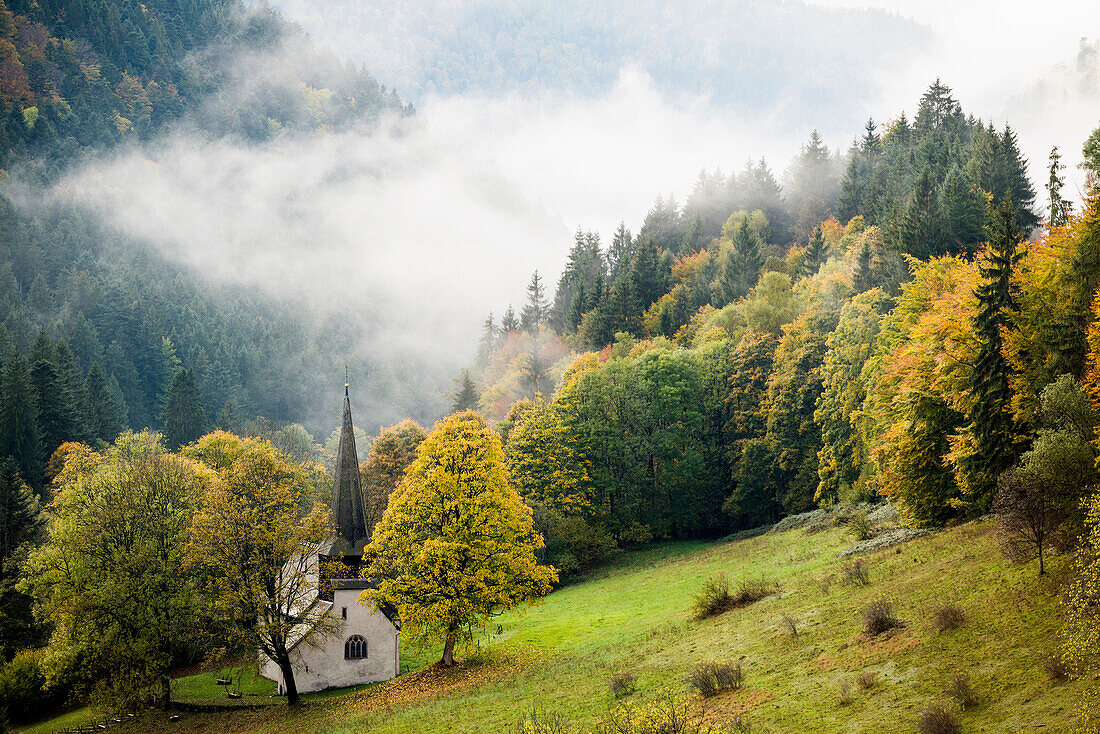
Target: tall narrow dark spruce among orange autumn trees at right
<point>991,420</point>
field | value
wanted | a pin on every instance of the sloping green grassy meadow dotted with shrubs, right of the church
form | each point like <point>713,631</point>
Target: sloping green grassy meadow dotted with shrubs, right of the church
<point>636,617</point>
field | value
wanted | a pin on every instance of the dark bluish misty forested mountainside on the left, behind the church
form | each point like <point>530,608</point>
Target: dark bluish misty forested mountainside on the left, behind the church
<point>103,314</point>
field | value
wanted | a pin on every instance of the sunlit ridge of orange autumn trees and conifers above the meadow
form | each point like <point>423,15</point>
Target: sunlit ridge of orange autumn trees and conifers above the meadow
<point>906,320</point>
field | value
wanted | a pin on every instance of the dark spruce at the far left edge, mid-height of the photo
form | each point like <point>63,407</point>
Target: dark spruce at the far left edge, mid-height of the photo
<point>19,429</point>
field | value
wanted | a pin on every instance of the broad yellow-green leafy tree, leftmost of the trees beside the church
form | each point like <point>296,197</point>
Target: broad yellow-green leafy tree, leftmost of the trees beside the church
<point>112,575</point>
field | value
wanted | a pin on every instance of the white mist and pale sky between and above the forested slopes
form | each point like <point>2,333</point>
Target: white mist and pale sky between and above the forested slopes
<point>444,223</point>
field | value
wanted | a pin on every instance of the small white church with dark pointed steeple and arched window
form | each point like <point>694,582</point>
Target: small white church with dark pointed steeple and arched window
<point>366,648</point>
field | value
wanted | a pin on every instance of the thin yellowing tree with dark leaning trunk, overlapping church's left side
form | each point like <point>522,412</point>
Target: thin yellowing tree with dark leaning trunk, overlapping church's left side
<point>247,542</point>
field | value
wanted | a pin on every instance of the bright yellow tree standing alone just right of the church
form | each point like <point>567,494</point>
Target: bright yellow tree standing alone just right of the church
<point>457,544</point>
